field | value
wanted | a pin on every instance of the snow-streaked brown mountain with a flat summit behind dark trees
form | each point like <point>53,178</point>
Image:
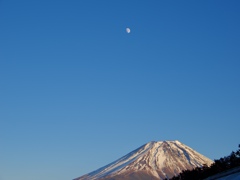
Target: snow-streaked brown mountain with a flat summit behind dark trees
<point>152,161</point>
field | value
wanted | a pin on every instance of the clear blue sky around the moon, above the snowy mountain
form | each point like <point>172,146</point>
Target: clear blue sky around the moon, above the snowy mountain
<point>77,91</point>
